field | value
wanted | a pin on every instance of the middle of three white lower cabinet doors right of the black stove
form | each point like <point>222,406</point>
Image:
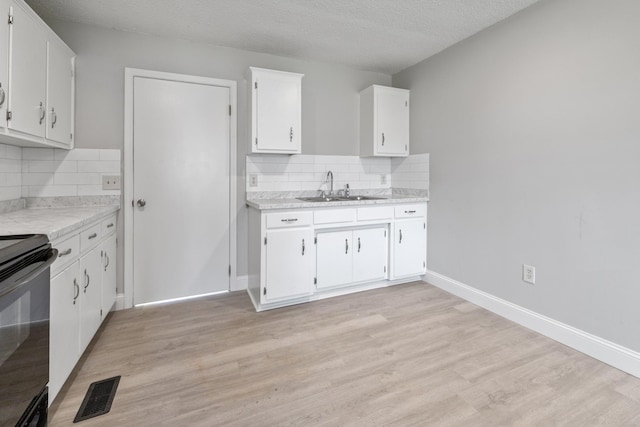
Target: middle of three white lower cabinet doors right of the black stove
<point>90,296</point>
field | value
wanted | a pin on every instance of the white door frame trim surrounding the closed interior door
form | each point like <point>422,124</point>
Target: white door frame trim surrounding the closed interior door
<point>129,75</point>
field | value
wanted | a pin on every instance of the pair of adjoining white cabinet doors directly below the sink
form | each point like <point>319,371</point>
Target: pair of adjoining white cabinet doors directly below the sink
<point>352,256</point>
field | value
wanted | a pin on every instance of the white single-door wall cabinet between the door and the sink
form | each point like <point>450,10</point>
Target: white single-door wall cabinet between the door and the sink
<point>275,98</point>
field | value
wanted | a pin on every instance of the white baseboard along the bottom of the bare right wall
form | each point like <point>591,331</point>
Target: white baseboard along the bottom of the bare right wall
<point>610,353</point>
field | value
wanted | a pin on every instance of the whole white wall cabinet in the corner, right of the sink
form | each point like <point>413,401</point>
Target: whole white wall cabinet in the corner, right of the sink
<point>384,122</point>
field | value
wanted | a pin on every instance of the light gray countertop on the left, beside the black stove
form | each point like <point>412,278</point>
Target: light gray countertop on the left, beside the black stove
<point>54,221</point>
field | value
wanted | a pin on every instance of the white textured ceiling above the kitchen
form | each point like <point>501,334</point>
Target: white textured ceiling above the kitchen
<point>377,35</point>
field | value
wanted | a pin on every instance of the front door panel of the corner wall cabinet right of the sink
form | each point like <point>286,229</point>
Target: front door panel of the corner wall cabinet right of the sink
<point>393,122</point>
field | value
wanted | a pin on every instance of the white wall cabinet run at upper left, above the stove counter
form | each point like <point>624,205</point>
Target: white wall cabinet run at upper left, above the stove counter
<point>39,109</point>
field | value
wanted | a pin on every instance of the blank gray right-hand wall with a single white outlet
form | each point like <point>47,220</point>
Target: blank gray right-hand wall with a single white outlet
<point>533,129</point>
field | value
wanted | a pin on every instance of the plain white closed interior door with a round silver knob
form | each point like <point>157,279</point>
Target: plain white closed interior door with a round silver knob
<point>181,140</point>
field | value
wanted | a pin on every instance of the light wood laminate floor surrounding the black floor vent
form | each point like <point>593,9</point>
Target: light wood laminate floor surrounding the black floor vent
<point>406,355</point>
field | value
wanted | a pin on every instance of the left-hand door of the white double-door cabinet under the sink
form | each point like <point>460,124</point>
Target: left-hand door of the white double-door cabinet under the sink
<point>334,259</point>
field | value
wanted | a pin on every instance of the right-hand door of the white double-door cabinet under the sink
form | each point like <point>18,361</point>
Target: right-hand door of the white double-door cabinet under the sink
<point>370,249</point>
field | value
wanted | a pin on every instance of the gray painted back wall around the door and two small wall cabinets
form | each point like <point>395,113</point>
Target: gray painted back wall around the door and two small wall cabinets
<point>330,105</point>
